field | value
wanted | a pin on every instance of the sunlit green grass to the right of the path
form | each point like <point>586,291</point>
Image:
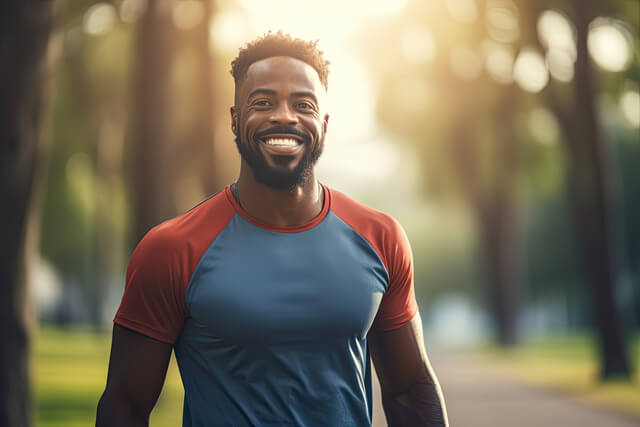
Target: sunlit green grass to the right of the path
<point>569,364</point>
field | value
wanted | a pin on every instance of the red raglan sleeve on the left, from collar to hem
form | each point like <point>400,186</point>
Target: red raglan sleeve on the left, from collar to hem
<point>162,265</point>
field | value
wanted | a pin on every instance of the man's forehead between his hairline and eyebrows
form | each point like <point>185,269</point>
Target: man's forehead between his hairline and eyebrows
<point>281,73</point>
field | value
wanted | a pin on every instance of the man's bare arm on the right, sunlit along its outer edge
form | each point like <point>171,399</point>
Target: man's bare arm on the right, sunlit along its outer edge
<point>411,395</point>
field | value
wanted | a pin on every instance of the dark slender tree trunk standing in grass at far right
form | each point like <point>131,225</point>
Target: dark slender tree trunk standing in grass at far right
<point>591,193</point>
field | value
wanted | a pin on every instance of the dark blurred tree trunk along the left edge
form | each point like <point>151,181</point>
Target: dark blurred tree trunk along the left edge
<point>25,27</point>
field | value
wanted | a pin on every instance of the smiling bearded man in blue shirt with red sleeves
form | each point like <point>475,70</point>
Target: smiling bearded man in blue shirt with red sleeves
<point>273,292</point>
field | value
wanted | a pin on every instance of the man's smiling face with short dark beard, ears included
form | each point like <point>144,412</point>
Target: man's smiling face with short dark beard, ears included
<point>277,121</point>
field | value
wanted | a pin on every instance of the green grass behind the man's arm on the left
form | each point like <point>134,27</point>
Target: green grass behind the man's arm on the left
<point>69,374</point>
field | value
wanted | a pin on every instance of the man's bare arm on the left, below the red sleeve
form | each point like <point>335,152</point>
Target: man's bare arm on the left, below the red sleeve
<point>137,369</point>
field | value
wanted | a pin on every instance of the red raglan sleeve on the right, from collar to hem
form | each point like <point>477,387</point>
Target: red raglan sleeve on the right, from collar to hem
<point>389,240</point>
